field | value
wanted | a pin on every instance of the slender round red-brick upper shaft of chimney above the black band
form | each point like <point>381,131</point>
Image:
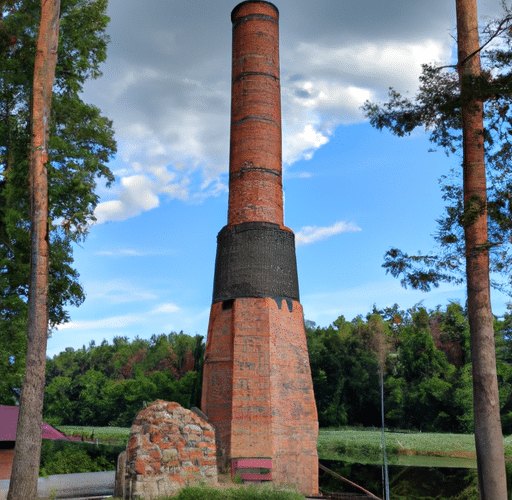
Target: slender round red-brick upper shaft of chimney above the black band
<point>255,189</point>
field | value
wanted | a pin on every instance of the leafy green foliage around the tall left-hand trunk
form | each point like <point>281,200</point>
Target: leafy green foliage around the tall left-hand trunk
<point>80,144</point>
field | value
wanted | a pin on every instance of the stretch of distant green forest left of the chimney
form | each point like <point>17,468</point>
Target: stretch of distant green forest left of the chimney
<point>109,384</point>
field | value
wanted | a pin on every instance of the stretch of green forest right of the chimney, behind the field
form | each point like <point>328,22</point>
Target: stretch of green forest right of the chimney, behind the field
<point>427,375</point>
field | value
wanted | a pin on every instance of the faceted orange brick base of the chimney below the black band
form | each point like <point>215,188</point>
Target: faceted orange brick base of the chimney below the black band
<point>259,345</point>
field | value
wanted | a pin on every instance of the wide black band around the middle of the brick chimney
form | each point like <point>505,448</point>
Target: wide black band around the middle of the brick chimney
<point>255,259</point>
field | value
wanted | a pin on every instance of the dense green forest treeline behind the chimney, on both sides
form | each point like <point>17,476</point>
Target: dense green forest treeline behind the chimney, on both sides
<point>424,355</point>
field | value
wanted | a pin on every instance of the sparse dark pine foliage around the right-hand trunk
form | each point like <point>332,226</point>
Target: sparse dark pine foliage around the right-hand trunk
<point>436,108</point>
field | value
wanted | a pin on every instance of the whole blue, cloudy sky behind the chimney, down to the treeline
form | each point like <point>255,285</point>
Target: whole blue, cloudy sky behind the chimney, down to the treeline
<point>351,192</point>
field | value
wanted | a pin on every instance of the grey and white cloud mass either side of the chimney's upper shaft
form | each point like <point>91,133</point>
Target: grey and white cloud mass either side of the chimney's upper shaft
<point>167,85</point>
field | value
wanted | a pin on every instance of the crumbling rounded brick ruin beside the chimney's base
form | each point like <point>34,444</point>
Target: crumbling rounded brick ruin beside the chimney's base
<point>169,447</point>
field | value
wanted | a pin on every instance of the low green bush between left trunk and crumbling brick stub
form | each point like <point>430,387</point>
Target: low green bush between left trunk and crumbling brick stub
<point>68,457</point>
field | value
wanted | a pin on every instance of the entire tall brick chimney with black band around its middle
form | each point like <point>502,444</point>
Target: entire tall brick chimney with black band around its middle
<point>257,386</point>
